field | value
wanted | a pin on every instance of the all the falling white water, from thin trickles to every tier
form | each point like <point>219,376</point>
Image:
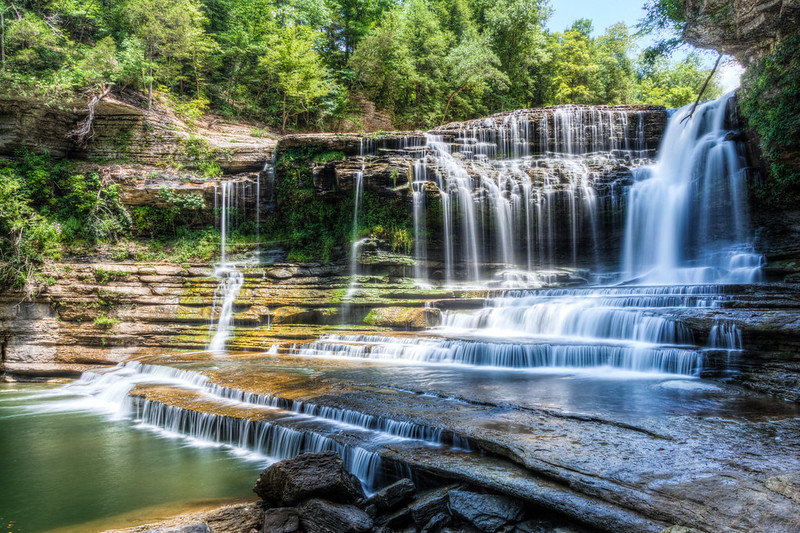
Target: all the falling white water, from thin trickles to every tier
<point>516,193</point>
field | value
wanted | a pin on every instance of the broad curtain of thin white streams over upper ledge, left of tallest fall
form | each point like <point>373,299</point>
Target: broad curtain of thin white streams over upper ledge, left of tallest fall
<point>520,193</point>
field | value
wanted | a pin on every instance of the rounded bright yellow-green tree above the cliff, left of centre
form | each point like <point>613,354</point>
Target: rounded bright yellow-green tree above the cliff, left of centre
<point>297,70</point>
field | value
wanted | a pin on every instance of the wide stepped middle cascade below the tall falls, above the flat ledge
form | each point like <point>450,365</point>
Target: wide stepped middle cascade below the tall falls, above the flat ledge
<point>624,328</point>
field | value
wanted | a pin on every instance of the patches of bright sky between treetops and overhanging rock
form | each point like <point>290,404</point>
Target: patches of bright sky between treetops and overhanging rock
<point>604,13</point>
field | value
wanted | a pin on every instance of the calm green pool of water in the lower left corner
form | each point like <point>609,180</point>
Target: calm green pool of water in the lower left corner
<point>63,467</point>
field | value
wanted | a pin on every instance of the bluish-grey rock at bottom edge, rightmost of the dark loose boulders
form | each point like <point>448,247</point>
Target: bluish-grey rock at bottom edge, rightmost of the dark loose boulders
<point>487,512</point>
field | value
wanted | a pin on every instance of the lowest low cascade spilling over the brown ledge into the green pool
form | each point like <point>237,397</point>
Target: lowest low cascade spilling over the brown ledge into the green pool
<point>275,429</point>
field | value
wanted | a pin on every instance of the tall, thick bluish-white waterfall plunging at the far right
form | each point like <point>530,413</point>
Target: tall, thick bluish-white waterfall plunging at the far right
<point>687,221</point>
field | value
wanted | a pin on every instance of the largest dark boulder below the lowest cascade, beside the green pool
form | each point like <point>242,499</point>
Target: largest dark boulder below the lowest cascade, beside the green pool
<point>310,475</point>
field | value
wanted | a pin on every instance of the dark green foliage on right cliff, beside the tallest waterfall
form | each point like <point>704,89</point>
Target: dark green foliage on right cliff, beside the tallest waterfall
<point>771,105</point>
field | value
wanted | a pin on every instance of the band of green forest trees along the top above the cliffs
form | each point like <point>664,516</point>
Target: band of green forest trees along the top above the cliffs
<point>303,64</point>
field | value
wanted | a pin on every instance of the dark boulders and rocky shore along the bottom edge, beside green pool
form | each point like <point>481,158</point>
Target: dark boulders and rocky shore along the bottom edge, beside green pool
<point>313,493</point>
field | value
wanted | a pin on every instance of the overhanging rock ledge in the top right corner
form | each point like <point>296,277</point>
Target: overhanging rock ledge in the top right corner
<point>743,28</point>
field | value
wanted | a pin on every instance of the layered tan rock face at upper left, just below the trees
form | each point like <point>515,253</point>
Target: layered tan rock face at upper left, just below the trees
<point>123,131</point>
